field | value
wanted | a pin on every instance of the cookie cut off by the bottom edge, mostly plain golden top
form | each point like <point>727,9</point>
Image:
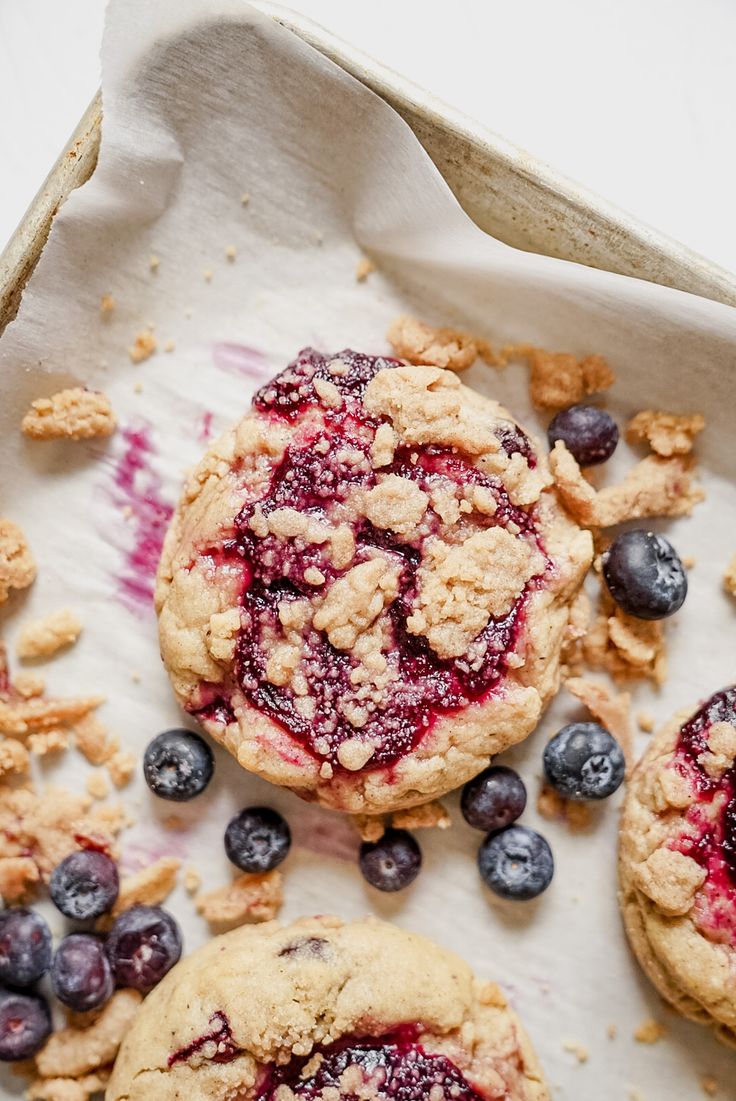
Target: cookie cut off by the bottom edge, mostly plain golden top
<point>323,1011</point>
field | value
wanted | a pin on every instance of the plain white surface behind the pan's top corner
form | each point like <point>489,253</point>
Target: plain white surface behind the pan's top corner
<point>633,100</point>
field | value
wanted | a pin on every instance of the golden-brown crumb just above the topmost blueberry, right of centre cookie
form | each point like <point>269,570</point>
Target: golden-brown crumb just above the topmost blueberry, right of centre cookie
<point>558,379</point>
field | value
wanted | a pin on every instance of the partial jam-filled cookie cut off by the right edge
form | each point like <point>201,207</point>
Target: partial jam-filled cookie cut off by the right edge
<point>678,863</point>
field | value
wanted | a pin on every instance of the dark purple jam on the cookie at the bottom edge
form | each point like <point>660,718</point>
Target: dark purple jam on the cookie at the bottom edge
<point>399,1071</point>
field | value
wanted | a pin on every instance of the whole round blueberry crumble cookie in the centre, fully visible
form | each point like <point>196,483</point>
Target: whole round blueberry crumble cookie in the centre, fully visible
<point>366,586</point>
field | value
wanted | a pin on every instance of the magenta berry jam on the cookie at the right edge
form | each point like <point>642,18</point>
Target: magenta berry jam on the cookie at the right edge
<point>710,838</point>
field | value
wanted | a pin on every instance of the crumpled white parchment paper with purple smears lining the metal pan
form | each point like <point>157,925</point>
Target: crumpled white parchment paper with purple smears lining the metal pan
<point>204,103</point>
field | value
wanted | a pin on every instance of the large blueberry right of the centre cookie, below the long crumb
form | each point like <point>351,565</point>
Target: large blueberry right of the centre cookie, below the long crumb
<point>645,575</point>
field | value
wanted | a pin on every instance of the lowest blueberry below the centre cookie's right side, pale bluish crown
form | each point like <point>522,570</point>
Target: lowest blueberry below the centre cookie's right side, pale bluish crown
<point>517,864</point>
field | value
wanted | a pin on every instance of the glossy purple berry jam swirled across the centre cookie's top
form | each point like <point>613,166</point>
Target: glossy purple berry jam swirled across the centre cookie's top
<point>328,464</point>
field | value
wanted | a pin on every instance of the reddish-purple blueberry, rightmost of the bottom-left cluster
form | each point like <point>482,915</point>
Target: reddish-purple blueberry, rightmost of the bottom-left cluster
<point>144,945</point>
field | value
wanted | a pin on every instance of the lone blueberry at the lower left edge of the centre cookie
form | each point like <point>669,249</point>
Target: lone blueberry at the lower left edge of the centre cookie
<point>178,766</point>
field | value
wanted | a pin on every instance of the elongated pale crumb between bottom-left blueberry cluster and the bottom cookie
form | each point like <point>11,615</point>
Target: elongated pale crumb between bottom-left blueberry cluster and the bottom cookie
<point>72,1053</point>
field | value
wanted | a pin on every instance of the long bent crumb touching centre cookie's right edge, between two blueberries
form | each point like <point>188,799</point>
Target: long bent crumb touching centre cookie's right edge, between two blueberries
<point>655,487</point>
